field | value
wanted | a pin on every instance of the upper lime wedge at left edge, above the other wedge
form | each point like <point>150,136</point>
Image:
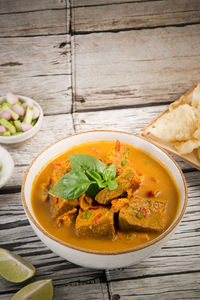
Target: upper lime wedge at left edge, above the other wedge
<point>14,268</point>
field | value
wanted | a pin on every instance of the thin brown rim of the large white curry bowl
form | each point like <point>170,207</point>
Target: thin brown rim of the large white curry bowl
<point>119,252</point>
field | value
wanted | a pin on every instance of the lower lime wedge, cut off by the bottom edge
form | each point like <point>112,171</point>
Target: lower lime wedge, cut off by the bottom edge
<point>39,290</point>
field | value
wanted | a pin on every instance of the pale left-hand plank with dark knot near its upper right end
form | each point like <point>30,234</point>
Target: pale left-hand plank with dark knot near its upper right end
<point>34,56</point>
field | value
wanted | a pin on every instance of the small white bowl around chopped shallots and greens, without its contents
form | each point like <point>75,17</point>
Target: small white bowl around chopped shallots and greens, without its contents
<point>15,139</point>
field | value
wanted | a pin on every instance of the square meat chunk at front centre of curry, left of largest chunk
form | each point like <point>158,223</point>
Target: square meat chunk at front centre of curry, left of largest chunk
<point>95,223</point>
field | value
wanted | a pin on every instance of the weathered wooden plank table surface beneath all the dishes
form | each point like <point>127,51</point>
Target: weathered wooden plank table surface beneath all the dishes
<point>100,64</point>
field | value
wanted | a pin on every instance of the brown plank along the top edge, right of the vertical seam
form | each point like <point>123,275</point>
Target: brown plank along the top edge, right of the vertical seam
<point>108,16</point>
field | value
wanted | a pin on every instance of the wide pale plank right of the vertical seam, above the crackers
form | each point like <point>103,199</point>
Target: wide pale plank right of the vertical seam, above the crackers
<point>129,68</point>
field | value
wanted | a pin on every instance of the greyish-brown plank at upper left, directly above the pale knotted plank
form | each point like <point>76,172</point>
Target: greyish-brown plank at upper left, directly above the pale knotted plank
<point>41,22</point>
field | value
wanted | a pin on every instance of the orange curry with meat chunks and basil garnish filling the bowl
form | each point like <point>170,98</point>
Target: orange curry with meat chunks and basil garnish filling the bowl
<point>105,196</point>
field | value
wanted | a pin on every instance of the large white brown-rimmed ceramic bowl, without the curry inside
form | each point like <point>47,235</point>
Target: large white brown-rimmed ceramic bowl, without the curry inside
<point>95,259</point>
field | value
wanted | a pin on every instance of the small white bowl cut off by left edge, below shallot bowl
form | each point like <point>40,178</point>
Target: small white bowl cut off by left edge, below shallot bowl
<point>7,166</point>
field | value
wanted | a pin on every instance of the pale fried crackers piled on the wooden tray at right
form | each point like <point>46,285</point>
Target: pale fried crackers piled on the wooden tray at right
<point>179,126</point>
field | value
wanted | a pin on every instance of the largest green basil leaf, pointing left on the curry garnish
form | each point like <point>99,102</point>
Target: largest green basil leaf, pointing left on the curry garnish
<point>71,186</point>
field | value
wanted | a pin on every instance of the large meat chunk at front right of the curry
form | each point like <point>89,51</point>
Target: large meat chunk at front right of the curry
<point>142,214</point>
